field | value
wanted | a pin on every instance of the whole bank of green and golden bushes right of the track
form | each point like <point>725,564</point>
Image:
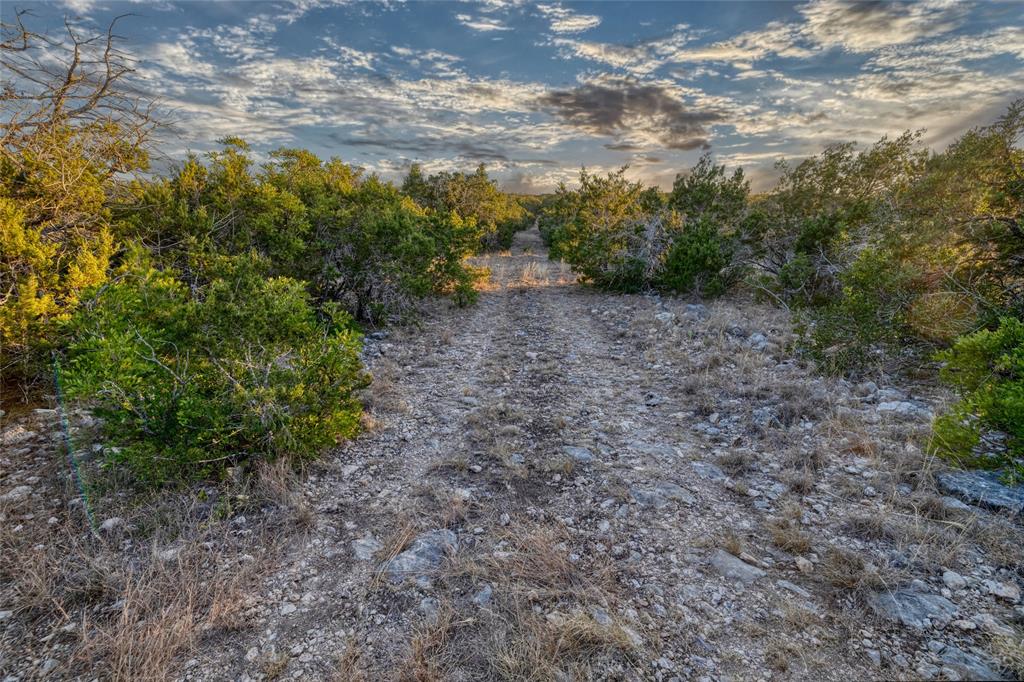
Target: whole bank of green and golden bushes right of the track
<point>886,258</point>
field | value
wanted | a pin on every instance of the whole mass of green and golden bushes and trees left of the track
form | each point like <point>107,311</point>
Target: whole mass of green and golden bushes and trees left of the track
<point>210,317</point>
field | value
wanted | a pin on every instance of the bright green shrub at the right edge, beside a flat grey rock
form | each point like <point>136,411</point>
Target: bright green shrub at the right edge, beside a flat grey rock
<point>988,370</point>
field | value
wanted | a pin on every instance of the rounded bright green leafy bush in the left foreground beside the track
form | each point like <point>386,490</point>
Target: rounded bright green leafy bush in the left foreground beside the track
<point>189,385</point>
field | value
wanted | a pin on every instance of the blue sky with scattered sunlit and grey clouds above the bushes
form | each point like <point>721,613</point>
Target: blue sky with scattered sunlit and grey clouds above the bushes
<point>535,92</point>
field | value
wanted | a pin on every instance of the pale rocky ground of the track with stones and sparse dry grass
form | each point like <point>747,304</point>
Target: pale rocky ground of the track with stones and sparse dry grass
<point>560,484</point>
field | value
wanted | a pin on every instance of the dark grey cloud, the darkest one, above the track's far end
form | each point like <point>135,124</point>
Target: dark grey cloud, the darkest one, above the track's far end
<point>626,108</point>
